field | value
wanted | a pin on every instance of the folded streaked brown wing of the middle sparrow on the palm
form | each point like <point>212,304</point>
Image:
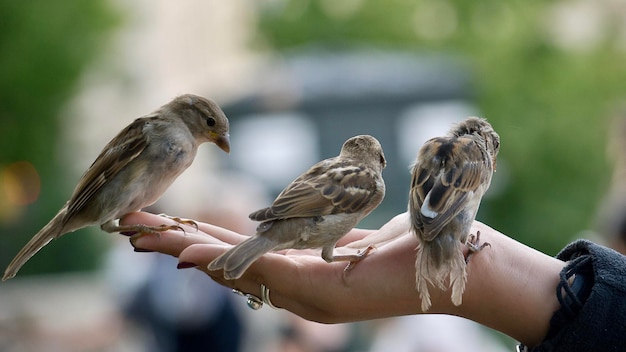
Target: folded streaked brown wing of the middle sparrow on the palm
<point>331,186</point>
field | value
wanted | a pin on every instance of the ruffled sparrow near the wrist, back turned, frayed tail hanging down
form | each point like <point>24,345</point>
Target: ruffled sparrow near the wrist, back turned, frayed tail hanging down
<point>449,178</point>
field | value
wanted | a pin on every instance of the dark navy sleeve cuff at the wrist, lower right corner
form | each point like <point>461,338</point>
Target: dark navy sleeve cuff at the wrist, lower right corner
<point>592,293</point>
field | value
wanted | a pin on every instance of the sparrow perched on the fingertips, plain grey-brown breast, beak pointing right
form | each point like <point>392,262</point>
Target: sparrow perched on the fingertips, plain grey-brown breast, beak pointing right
<point>133,170</point>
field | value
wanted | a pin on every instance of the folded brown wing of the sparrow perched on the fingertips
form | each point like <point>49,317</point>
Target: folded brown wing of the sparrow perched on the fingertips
<point>120,151</point>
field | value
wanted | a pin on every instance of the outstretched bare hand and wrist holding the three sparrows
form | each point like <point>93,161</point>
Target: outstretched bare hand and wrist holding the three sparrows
<point>510,288</point>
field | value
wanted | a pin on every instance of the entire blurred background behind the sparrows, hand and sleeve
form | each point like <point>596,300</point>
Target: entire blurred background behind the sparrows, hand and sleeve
<point>296,79</point>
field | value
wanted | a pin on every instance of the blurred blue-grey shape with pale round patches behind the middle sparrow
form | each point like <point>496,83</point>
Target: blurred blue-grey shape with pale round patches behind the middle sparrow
<point>309,102</point>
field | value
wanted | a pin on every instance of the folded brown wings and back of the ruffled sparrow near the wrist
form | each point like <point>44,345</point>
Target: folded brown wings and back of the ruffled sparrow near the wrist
<point>448,173</point>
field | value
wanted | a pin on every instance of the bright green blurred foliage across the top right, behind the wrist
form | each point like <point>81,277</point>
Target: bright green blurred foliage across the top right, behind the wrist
<point>548,99</point>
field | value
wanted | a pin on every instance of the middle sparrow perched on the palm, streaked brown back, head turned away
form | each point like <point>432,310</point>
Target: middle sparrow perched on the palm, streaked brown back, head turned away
<point>316,209</point>
